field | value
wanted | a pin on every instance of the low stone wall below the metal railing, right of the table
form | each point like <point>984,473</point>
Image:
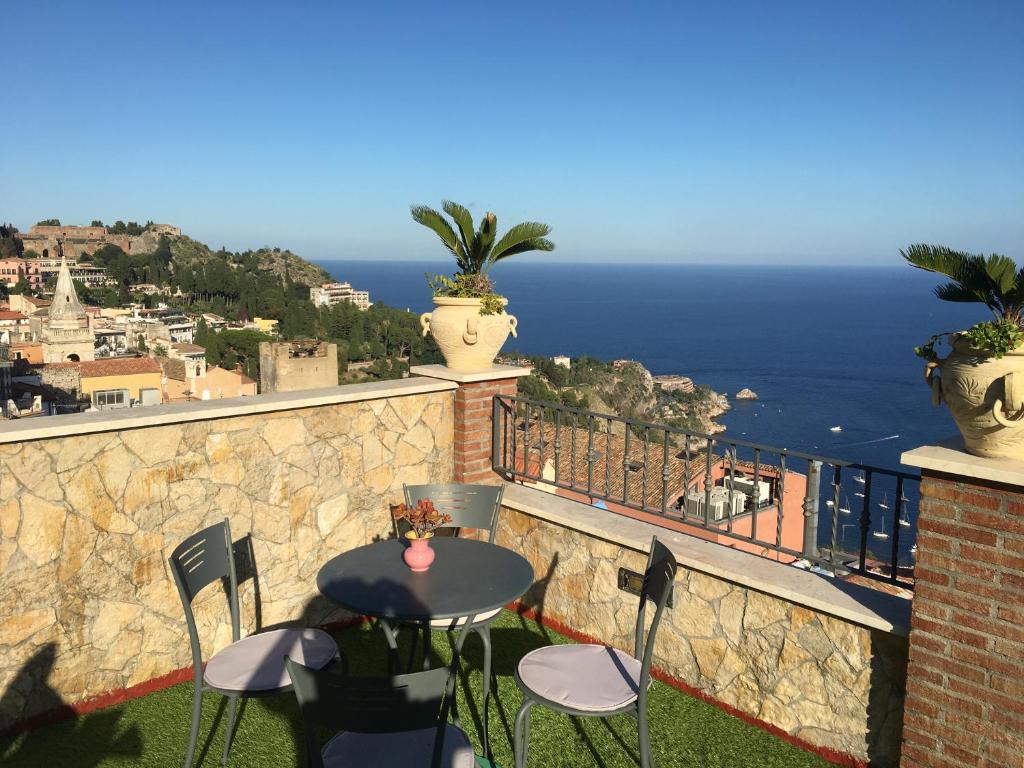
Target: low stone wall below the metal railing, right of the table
<point>829,682</point>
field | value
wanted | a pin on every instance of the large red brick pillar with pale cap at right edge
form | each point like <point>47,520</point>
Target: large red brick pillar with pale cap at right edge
<point>965,689</point>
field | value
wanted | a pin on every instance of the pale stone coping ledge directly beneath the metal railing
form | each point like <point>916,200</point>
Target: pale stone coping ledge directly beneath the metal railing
<point>852,603</point>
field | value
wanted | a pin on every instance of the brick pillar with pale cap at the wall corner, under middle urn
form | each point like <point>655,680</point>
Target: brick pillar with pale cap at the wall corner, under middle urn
<point>474,415</point>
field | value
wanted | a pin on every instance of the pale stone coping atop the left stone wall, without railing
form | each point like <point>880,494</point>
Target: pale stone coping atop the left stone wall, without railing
<point>180,413</point>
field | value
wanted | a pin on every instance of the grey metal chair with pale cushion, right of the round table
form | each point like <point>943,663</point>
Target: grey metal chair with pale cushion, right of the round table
<point>588,680</point>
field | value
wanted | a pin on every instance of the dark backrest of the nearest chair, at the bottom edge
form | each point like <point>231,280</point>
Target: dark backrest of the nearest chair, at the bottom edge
<point>363,705</point>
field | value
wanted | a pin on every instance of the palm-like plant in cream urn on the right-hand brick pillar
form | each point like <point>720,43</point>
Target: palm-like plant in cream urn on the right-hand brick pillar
<point>982,380</point>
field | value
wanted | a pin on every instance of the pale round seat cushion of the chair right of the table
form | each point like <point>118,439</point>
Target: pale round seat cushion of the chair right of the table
<point>589,678</point>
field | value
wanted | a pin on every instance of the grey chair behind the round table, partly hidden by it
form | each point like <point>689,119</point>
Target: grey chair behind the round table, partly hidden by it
<point>471,507</point>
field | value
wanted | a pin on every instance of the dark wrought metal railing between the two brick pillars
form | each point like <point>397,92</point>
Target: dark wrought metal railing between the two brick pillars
<point>762,499</point>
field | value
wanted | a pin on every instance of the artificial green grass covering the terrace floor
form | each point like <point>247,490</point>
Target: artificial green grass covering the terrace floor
<point>154,731</point>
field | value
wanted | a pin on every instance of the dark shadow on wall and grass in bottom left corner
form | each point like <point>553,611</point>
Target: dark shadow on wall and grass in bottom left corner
<point>101,731</point>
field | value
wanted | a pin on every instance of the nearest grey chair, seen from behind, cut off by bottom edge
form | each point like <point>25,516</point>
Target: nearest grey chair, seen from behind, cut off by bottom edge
<point>402,721</point>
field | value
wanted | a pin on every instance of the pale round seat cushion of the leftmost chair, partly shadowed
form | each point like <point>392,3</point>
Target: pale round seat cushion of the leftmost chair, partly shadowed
<point>258,663</point>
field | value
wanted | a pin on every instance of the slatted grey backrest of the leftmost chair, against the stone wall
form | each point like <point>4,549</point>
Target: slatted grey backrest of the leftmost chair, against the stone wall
<point>201,560</point>
